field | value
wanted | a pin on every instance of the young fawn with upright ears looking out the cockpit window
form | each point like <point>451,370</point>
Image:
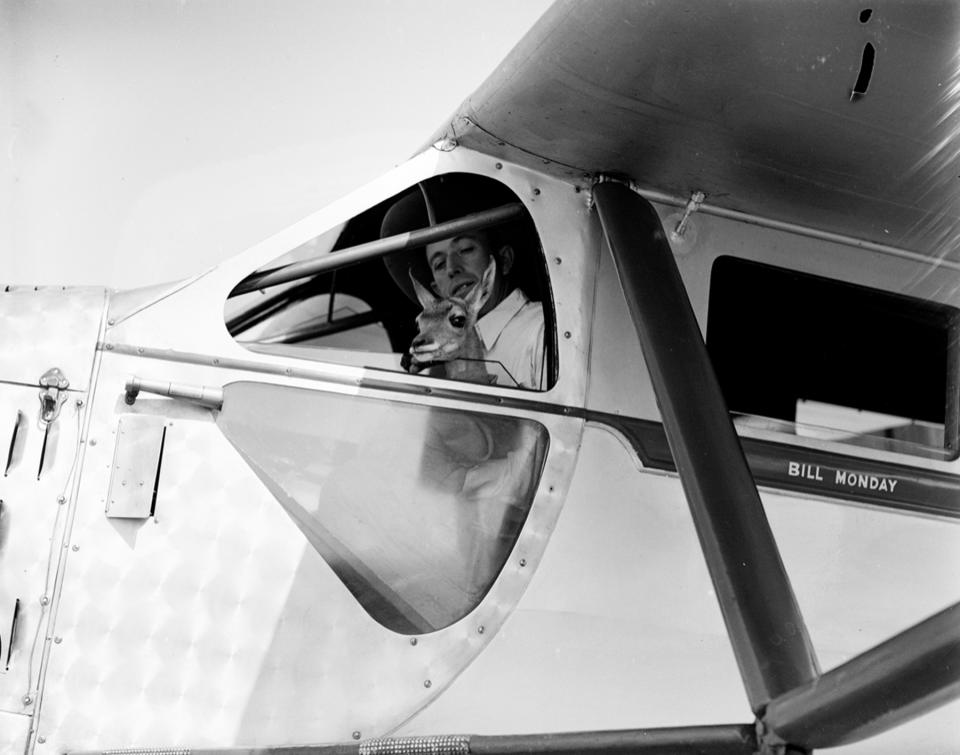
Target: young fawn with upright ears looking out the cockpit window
<point>447,342</point>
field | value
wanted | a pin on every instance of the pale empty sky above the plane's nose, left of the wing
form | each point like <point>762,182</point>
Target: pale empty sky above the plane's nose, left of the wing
<point>145,140</point>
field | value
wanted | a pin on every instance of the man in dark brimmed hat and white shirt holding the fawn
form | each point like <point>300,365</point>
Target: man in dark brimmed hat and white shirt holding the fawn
<point>510,326</point>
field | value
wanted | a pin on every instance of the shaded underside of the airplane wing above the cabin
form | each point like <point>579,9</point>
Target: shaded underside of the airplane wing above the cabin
<point>839,117</point>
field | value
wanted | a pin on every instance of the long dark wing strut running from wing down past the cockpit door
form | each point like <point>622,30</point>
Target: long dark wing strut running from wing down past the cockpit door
<point>763,620</point>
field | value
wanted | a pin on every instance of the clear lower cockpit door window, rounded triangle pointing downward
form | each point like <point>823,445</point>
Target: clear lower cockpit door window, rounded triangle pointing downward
<point>415,508</point>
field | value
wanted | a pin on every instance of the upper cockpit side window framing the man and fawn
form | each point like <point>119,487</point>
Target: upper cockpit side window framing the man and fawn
<point>445,279</point>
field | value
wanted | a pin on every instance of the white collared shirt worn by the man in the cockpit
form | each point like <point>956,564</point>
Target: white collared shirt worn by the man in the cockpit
<point>512,335</point>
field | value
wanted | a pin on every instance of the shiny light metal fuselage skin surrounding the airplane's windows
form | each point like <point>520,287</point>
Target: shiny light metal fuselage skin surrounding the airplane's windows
<point>214,623</point>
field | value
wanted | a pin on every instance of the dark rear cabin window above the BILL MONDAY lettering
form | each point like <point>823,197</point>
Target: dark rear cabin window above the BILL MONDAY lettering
<point>813,356</point>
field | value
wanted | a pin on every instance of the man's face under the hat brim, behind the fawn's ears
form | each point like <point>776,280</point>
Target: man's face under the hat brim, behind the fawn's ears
<point>457,264</point>
